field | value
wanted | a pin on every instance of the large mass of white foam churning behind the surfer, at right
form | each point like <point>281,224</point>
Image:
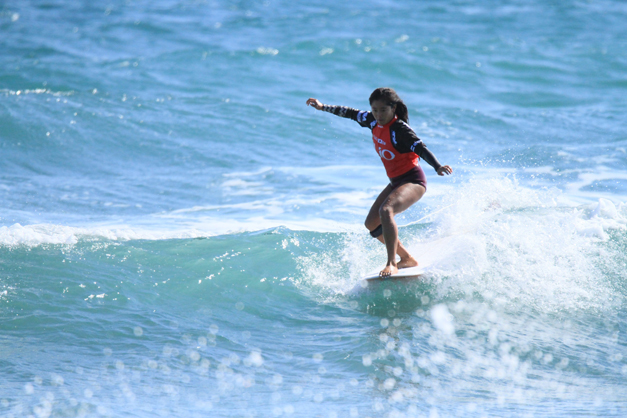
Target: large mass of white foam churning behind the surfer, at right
<point>517,244</point>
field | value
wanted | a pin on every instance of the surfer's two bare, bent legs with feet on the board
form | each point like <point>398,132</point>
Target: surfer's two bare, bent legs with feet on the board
<point>373,220</point>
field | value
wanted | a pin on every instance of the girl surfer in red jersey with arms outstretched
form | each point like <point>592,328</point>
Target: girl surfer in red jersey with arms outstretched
<point>399,149</point>
